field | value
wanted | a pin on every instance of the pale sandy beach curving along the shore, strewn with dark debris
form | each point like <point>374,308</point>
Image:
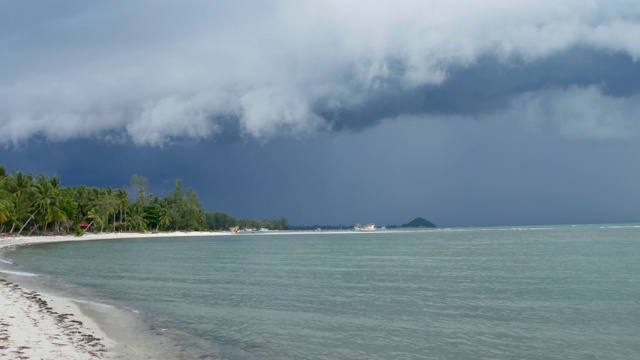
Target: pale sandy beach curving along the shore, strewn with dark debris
<point>39,325</point>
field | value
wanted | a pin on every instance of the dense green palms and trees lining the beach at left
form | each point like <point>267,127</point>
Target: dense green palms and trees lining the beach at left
<point>39,204</point>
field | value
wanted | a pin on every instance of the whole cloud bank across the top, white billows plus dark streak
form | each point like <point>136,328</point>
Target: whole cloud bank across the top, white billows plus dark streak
<point>155,72</point>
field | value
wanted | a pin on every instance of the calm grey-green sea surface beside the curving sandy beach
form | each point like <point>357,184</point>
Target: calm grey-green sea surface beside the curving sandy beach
<point>555,292</point>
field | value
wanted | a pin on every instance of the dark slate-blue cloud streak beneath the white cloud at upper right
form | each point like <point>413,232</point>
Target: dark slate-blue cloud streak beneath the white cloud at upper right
<point>489,86</point>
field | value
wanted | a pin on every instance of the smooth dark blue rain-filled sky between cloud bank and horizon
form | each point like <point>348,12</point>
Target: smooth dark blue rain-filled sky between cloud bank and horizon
<point>453,171</point>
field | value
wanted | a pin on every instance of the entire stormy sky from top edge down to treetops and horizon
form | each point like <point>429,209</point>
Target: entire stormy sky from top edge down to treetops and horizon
<point>466,112</point>
